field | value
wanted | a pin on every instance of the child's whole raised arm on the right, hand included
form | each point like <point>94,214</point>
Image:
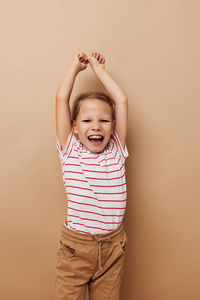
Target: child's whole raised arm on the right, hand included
<point>97,62</point>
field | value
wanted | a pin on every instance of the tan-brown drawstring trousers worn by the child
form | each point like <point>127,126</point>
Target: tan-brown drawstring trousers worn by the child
<point>93,260</point>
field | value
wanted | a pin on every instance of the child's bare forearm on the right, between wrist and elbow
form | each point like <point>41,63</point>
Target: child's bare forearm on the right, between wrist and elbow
<point>111,86</point>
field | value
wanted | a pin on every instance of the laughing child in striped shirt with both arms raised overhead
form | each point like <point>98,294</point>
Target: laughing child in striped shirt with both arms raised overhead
<point>92,150</point>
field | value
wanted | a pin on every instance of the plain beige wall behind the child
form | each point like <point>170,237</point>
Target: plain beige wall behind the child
<point>152,50</point>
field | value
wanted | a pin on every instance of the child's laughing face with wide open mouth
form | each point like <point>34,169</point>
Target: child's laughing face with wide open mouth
<point>94,124</point>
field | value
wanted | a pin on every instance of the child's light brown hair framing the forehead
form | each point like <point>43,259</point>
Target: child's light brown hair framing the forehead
<point>91,95</point>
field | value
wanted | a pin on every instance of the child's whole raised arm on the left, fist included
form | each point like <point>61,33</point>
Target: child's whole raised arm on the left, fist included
<point>63,115</point>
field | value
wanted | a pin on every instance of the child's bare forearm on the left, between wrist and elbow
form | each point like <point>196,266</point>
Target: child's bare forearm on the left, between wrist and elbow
<point>65,87</point>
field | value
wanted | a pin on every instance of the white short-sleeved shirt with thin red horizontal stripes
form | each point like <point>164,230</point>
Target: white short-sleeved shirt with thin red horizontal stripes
<point>95,185</point>
